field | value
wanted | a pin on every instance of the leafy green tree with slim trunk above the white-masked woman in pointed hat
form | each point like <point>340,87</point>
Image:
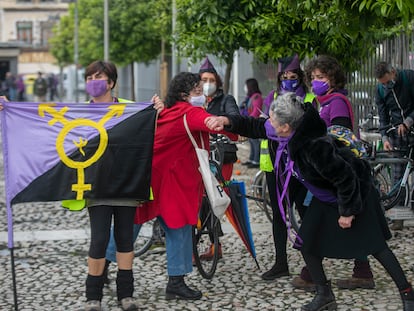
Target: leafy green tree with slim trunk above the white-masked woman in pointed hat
<point>218,27</point>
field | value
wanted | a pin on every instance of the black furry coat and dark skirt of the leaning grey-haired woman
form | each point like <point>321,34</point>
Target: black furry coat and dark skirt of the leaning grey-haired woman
<point>327,164</point>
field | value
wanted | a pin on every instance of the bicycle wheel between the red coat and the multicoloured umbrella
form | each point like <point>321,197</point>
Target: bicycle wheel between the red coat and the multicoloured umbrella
<point>205,235</point>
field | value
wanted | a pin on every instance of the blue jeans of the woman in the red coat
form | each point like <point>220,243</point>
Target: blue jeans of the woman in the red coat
<point>179,248</point>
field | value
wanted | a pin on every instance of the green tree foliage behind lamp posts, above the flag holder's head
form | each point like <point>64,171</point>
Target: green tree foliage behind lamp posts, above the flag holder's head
<point>136,30</point>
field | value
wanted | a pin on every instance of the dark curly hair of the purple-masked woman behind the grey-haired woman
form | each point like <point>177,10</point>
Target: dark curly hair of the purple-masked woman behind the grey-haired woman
<point>329,66</point>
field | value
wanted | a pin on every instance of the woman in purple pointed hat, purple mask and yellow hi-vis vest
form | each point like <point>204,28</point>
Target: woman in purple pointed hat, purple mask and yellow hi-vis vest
<point>290,78</point>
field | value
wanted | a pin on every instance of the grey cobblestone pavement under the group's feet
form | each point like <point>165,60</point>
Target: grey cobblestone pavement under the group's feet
<point>50,258</point>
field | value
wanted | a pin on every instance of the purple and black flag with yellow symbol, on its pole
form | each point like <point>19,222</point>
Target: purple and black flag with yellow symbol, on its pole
<point>57,151</point>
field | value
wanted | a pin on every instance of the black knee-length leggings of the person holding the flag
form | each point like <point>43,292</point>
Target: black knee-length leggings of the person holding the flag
<point>101,219</point>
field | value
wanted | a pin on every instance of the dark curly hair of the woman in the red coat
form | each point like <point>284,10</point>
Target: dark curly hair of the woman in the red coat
<point>180,87</point>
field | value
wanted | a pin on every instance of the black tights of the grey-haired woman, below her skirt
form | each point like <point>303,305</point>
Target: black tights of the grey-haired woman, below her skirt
<point>386,258</point>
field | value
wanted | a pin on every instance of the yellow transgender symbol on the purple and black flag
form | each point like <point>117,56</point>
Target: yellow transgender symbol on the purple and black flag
<point>59,116</point>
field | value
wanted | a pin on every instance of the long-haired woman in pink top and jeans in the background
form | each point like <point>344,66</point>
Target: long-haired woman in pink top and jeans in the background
<point>252,106</point>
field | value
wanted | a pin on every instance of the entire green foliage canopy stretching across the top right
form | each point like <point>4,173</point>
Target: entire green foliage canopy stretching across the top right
<point>346,29</point>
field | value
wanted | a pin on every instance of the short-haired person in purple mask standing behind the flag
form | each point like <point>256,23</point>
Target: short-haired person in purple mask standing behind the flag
<point>101,77</point>
